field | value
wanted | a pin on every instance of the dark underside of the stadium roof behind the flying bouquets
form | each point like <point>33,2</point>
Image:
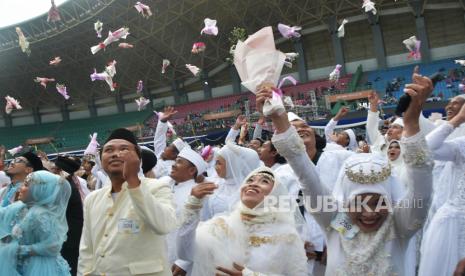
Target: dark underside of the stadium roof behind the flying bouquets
<point>169,33</point>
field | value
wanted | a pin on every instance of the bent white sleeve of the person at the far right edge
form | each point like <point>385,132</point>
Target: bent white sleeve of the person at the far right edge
<point>444,151</point>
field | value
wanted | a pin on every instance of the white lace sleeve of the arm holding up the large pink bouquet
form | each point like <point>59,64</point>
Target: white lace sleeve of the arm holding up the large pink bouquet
<point>291,147</point>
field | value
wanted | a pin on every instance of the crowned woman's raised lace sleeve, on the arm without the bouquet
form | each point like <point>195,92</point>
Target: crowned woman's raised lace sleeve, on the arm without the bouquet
<point>410,214</point>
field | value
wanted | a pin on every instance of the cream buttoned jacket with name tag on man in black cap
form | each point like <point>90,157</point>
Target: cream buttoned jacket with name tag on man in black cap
<point>125,236</point>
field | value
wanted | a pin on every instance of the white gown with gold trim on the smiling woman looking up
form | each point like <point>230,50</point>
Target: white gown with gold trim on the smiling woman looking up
<point>264,249</point>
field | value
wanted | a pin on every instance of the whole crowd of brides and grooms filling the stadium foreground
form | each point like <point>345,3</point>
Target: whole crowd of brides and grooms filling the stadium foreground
<point>288,203</point>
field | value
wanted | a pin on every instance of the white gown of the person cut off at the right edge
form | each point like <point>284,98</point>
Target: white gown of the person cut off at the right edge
<point>443,242</point>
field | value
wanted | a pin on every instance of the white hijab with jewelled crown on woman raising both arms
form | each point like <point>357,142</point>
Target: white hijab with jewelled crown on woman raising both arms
<point>365,251</point>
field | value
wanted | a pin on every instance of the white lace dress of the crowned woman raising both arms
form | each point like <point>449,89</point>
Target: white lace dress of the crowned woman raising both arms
<point>378,253</point>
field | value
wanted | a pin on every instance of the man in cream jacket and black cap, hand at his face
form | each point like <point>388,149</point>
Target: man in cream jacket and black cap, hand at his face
<point>125,222</point>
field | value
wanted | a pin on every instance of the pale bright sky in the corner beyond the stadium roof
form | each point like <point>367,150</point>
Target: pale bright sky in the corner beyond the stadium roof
<point>15,11</point>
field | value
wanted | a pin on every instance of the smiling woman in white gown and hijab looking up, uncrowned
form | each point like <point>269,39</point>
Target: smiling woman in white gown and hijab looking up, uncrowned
<point>258,237</point>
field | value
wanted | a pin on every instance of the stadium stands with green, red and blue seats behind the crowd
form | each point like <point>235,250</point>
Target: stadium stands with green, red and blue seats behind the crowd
<point>188,121</point>
